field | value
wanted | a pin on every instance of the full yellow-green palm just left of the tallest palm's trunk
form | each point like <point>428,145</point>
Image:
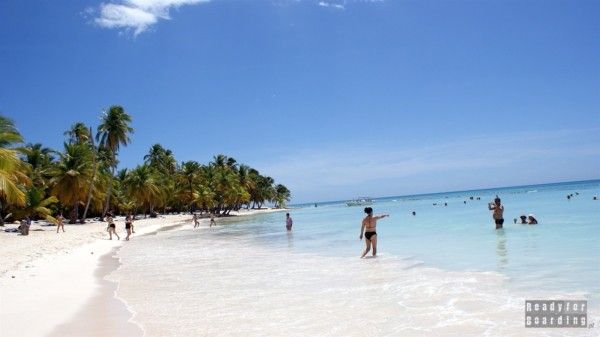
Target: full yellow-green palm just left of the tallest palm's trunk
<point>71,176</point>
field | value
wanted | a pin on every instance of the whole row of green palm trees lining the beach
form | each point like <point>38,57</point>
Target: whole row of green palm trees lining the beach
<point>82,179</point>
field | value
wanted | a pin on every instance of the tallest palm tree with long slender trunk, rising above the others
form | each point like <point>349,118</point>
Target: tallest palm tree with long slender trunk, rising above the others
<point>112,133</point>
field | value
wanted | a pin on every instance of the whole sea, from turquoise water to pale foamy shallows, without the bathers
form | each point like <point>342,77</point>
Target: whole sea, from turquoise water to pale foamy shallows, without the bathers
<point>444,272</point>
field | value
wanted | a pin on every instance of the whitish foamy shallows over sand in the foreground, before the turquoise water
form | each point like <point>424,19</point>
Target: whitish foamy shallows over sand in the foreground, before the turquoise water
<point>201,283</point>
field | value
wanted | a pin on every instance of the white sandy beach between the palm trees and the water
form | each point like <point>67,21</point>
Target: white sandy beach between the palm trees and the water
<point>53,284</point>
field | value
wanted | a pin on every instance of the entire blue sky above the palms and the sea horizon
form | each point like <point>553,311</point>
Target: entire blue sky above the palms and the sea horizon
<point>332,98</point>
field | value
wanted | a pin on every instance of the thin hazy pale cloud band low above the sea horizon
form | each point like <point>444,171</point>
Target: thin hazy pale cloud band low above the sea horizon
<point>333,171</point>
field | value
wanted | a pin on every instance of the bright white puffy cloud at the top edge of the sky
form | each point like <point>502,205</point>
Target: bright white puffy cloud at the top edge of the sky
<point>137,15</point>
